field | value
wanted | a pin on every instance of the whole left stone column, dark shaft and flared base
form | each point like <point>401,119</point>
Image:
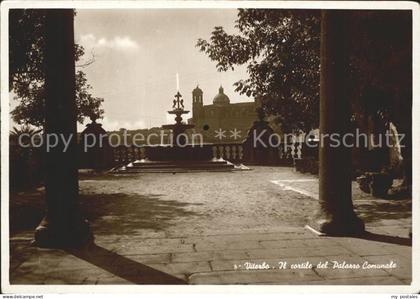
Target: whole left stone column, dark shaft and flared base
<point>63,225</point>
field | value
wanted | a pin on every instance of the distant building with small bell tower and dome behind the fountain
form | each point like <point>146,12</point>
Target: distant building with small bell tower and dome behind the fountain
<point>221,114</point>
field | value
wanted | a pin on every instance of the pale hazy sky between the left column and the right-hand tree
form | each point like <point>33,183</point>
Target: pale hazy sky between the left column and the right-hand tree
<point>138,53</point>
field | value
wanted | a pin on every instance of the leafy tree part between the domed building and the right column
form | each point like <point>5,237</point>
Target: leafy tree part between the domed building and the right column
<point>281,50</point>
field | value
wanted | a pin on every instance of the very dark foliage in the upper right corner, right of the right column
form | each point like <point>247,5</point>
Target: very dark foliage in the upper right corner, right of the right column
<point>381,63</point>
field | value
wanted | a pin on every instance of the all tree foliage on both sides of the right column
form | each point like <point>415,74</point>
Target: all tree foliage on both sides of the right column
<point>281,49</point>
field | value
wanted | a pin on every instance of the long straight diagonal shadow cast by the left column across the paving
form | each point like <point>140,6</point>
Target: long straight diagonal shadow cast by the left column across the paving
<point>123,267</point>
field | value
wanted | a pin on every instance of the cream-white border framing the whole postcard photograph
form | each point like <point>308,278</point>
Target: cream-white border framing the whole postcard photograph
<point>242,289</point>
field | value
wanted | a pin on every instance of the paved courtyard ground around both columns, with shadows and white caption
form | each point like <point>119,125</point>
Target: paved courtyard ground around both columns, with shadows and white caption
<point>212,228</point>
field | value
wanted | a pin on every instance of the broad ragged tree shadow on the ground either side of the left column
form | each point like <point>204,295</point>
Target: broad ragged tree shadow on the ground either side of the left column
<point>108,213</point>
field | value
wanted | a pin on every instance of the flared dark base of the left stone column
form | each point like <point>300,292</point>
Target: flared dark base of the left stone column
<point>48,235</point>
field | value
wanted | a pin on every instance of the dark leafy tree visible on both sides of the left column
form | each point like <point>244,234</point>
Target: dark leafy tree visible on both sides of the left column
<point>27,71</point>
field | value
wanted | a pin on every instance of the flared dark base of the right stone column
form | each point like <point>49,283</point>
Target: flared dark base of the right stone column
<point>338,226</point>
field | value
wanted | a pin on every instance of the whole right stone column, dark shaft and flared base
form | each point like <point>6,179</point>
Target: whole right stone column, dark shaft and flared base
<point>335,215</point>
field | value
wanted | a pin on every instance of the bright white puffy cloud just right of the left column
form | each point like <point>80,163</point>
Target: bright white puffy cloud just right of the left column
<point>119,43</point>
